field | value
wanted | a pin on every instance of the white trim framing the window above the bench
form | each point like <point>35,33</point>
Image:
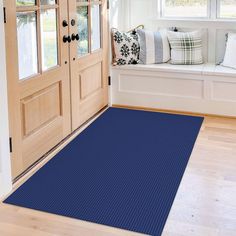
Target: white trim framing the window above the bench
<point>213,13</point>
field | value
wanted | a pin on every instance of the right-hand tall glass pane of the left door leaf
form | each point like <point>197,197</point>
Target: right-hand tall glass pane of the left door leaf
<point>49,39</point>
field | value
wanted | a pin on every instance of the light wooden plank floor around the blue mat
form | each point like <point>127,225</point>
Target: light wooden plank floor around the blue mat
<point>204,206</point>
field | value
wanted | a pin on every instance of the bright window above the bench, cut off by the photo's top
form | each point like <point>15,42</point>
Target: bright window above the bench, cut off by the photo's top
<point>212,9</point>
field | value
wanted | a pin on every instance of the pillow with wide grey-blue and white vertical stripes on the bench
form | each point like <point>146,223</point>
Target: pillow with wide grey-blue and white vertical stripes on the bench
<point>154,47</point>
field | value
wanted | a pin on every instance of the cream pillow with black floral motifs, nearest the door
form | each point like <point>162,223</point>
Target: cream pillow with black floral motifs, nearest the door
<point>125,47</point>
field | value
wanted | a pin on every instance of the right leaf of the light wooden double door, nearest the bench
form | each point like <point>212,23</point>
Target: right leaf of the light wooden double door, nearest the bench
<point>89,59</point>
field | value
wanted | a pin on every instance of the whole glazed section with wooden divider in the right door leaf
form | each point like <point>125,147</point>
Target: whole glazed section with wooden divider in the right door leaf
<point>89,27</point>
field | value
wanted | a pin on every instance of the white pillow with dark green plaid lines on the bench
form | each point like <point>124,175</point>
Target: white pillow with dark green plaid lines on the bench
<point>186,47</point>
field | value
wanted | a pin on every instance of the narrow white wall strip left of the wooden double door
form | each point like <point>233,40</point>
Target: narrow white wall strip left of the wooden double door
<point>5,167</point>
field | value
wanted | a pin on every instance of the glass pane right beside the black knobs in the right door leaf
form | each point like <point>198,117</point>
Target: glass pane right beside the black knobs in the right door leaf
<point>82,16</point>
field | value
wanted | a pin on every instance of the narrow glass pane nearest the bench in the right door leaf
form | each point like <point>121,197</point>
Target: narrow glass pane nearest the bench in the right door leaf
<point>95,27</point>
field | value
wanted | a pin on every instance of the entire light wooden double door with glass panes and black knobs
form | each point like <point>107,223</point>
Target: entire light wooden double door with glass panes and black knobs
<point>57,72</point>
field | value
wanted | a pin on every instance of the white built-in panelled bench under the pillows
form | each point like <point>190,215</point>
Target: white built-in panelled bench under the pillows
<point>205,88</point>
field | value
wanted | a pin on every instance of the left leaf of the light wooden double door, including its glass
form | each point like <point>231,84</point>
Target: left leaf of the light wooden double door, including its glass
<point>38,79</point>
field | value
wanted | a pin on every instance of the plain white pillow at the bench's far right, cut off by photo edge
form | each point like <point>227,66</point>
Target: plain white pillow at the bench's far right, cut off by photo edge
<point>230,56</point>
